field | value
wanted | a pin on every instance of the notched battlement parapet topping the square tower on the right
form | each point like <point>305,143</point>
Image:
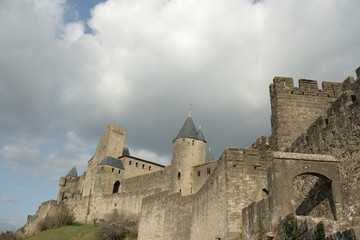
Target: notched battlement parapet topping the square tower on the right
<point>306,87</point>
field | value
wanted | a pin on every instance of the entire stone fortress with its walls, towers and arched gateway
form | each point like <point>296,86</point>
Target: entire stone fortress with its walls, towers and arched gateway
<point>308,167</point>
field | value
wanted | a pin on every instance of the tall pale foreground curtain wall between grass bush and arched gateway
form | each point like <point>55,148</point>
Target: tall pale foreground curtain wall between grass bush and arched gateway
<point>215,211</point>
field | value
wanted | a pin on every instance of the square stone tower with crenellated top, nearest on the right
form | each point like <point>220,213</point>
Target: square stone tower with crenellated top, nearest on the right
<point>293,109</point>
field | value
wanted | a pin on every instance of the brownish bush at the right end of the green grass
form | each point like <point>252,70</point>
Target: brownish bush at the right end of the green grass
<point>115,227</point>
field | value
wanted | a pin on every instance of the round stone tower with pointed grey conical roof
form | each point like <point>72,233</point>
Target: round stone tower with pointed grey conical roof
<point>189,148</point>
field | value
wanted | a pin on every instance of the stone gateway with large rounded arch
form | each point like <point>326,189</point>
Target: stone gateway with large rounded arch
<point>304,184</point>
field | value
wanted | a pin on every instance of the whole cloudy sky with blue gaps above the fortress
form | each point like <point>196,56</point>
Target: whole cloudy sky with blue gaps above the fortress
<point>68,68</point>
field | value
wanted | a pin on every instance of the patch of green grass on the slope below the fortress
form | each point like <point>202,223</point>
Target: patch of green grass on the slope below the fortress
<point>73,232</point>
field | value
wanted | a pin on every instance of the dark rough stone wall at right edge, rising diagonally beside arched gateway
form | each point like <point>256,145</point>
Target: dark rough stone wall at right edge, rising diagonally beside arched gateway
<point>338,133</point>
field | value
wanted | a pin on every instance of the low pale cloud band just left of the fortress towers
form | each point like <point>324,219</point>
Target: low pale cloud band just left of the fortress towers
<point>40,160</point>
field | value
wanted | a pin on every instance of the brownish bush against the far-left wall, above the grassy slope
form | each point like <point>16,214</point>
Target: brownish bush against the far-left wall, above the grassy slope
<point>62,217</point>
